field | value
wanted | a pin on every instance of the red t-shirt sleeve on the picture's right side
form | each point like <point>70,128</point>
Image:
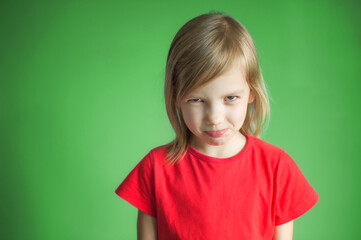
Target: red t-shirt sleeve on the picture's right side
<point>295,195</point>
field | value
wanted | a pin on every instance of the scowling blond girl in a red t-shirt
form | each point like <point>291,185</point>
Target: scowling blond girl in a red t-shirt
<point>216,179</point>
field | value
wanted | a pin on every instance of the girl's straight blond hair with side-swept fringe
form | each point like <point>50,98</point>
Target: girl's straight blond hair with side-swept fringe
<point>203,49</point>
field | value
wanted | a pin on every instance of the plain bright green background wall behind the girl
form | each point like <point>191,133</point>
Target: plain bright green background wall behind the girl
<point>82,103</point>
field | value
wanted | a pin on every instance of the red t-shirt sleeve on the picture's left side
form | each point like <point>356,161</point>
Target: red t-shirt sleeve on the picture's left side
<point>138,187</point>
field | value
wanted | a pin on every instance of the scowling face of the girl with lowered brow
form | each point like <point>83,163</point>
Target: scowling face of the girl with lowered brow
<point>215,112</point>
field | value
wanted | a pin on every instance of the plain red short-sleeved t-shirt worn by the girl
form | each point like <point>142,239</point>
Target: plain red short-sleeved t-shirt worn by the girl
<point>203,197</point>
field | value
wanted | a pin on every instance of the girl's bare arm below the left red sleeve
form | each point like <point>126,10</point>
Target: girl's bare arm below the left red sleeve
<point>147,227</point>
